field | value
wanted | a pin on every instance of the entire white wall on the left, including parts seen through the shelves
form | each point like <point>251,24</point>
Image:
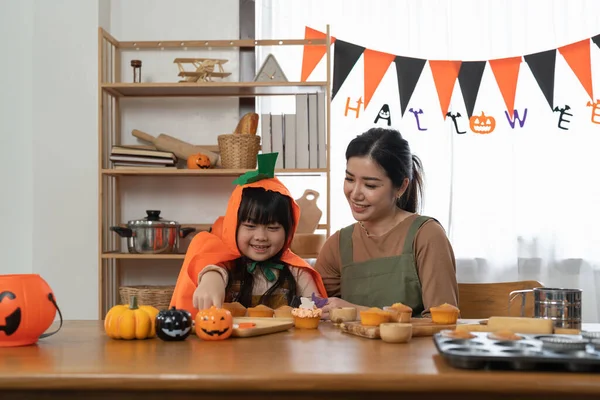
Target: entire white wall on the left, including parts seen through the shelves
<point>48,132</point>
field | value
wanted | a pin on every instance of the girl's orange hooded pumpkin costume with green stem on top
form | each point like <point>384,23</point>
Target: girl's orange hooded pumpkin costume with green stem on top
<point>220,245</point>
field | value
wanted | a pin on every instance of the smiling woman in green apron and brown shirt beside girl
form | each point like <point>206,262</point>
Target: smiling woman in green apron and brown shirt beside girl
<point>391,254</point>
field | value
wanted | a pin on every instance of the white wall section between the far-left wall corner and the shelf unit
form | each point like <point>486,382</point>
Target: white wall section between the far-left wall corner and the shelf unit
<point>64,155</point>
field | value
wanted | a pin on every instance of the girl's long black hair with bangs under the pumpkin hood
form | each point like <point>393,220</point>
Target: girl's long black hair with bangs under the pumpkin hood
<point>263,207</point>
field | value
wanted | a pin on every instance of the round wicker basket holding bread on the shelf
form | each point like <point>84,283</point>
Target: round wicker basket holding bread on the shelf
<point>238,151</point>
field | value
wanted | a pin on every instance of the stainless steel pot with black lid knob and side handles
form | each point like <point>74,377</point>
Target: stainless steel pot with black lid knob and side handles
<point>152,234</point>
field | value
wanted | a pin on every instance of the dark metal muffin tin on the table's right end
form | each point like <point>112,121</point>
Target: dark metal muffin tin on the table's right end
<point>577,353</point>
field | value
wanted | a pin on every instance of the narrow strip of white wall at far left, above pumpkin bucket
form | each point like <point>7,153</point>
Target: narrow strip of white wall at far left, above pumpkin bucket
<point>16,170</point>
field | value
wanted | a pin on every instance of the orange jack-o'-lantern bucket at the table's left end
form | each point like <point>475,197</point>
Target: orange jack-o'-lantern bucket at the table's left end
<point>27,309</point>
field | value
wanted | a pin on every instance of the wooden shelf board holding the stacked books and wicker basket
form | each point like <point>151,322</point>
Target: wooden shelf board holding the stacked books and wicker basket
<point>200,172</point>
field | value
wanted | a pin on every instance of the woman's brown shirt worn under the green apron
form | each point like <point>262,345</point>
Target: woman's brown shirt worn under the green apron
<point>436,265</point>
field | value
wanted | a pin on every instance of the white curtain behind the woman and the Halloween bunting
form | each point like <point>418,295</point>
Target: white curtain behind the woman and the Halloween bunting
<point>517,204</point>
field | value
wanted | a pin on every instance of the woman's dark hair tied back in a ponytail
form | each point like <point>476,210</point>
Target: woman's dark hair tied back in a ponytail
<point>391,151</point>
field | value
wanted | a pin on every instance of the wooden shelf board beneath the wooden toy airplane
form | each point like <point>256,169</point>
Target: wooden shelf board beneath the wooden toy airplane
<point>238,89</point>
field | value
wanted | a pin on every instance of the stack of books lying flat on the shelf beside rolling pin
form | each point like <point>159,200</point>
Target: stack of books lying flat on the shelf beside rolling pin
<point>141,157</point>
